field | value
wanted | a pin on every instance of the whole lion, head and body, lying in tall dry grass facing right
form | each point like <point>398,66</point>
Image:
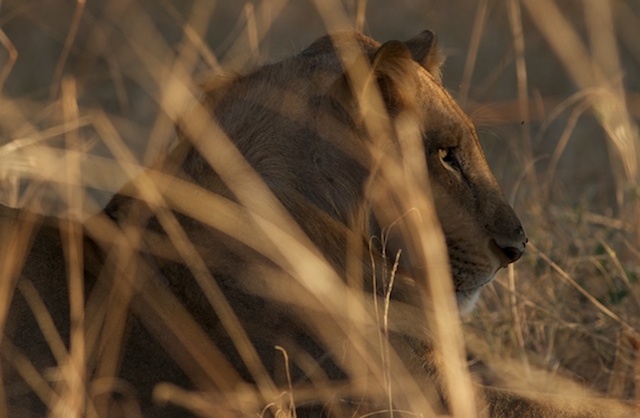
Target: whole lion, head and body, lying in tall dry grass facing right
<point>285,211</point>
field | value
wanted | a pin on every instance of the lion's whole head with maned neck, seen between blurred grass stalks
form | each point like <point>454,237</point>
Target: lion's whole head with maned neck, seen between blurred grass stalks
<point>302,125</point>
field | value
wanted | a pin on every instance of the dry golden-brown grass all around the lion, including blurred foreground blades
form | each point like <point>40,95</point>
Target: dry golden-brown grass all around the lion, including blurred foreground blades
<point>91,101</point>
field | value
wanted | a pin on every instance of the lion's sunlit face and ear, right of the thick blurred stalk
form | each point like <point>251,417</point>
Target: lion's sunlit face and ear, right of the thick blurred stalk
<point>482,232</point>
